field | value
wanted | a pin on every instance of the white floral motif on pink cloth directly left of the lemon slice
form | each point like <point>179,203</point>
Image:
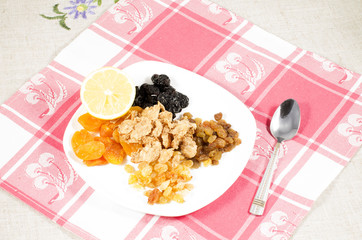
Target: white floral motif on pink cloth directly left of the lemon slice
<point>34,94</point>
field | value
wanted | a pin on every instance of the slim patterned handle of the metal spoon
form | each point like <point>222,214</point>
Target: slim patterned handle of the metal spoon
<point>261,196</point>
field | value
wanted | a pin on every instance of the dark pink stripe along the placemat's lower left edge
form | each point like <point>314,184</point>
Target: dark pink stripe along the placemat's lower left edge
<point>27,199</point>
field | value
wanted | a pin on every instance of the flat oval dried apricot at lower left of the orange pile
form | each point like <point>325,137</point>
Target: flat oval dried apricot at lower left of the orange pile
<point>90,150</point>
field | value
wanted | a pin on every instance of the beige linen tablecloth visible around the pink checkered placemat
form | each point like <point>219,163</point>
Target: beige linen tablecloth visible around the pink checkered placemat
<point>331,29</point>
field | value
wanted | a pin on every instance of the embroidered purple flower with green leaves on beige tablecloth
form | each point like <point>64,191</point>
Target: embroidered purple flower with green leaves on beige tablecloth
<point>77,7</point>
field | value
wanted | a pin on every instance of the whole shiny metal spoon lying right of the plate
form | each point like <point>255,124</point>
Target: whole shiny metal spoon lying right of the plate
<point>284,126</point>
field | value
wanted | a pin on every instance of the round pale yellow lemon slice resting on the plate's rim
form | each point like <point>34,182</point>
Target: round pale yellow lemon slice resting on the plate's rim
<point>107,93</point>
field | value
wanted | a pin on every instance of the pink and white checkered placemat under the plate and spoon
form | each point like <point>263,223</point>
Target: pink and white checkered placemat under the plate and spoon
<point>257,67</point>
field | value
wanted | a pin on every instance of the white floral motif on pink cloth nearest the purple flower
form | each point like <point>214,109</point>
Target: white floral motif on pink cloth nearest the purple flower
<point>126,11</point>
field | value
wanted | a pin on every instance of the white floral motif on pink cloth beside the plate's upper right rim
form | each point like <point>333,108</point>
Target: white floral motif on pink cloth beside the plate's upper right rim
<point>234,69</point>
